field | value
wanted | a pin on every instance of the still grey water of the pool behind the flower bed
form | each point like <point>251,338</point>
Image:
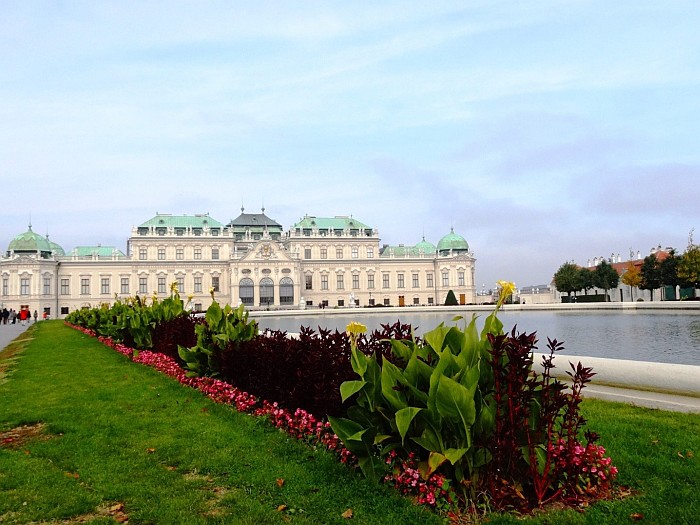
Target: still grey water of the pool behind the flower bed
<point>637,336</point>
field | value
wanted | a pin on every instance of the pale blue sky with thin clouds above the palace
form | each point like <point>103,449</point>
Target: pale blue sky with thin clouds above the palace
<point>543,132</point>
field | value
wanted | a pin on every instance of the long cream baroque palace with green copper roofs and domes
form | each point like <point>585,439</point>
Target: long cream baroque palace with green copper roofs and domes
<point>329,262</point>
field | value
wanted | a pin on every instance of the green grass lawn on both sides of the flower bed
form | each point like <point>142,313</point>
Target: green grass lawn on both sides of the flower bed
<point>88,436</point>
